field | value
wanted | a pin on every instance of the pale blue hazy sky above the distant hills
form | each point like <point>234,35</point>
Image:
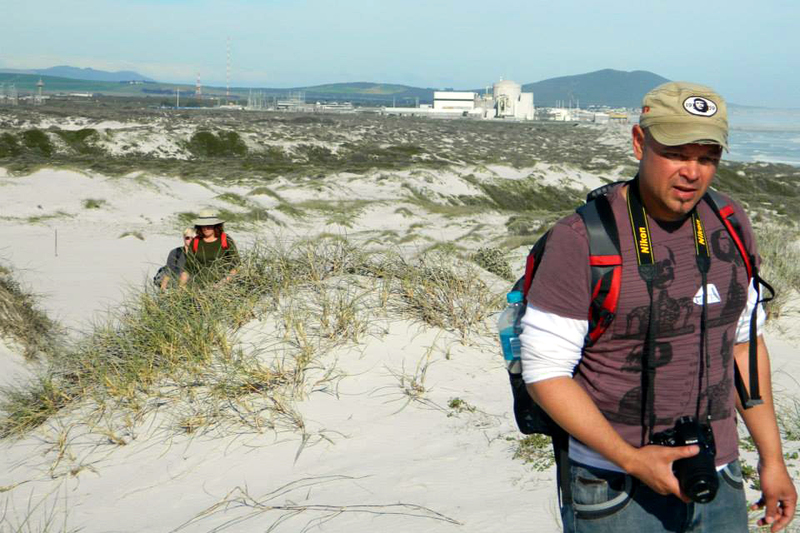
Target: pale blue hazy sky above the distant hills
<point>748,51</point>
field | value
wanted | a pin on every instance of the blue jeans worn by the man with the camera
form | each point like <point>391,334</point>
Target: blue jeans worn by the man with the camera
<point>606,501</point>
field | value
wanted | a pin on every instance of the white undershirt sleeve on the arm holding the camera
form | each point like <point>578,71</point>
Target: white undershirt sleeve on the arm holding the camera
<point>551,345</point>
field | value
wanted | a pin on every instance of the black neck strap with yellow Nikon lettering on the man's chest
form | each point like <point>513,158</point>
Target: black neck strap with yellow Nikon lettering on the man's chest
<point>648,270</point>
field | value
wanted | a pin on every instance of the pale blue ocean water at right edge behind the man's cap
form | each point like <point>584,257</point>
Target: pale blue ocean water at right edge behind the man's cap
<point>767,135</point>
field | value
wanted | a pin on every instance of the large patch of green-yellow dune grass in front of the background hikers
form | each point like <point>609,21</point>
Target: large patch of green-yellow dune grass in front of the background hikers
<point>181,347</point>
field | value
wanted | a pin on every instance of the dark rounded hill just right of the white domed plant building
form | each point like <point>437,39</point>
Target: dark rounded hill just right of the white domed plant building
<point>609,87</point>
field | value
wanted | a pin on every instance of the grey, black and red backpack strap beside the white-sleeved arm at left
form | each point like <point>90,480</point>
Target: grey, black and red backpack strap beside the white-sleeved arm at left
<point>605,262</point>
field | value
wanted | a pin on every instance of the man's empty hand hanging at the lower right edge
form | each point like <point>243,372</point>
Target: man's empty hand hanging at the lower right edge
<point>778,496</point>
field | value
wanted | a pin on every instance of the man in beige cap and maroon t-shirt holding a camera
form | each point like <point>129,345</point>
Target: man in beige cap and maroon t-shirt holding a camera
<point>667,360</point>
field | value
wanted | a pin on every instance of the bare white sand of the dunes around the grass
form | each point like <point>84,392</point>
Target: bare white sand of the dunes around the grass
<point>366,446</point>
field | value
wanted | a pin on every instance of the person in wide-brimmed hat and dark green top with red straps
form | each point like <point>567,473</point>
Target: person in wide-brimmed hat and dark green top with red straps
<point>211,256</point>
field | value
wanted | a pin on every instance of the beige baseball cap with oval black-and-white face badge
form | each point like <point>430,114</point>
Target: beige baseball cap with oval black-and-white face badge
<point>678,113</point>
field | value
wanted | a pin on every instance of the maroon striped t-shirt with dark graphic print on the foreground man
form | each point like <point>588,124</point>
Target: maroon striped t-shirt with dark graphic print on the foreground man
<point>610,370</point>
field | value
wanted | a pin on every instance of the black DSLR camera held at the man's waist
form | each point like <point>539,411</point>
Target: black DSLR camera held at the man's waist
<point>697,475</point>
